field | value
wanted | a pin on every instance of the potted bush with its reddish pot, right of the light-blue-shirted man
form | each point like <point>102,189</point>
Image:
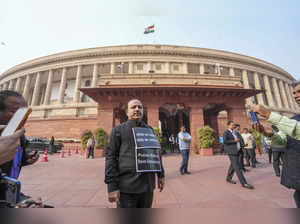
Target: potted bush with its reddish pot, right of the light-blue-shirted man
<point>205,140</point>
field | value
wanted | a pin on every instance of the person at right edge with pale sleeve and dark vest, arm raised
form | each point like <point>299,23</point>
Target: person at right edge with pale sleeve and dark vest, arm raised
<point>288,135</point>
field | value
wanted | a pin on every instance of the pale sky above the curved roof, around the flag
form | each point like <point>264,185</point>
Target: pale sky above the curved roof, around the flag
<point>265,29</point>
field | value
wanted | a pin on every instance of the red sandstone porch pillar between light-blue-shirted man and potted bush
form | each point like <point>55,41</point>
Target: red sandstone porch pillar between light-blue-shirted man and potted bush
<point>196,121</point>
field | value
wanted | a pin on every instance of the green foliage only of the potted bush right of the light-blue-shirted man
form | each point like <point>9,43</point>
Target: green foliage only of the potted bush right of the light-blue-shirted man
<point>205,138</point>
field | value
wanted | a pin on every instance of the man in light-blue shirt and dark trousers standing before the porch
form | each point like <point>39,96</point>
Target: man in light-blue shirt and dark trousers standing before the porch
<point>184,139</point>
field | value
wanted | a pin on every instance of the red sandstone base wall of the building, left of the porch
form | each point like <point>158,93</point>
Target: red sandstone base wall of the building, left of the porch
<point>59,128</point>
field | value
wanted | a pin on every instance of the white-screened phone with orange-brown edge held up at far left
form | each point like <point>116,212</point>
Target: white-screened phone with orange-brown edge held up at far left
<point>17,121</point>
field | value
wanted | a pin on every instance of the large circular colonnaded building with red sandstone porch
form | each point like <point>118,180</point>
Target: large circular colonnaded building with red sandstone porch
<point>73,91</point>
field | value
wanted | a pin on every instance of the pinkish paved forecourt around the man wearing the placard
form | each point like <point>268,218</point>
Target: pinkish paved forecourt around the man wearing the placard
<point>78,182</point>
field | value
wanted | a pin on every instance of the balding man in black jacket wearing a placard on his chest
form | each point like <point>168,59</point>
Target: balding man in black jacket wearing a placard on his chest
<point>126,185</point>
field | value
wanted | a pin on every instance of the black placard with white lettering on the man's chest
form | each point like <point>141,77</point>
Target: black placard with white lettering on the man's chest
<point>147,149</point>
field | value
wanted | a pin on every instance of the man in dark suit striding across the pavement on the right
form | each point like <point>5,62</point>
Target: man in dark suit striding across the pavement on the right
<point>231,147</point>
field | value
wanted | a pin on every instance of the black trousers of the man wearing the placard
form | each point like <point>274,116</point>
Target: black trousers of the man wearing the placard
<point>142,200</point>
